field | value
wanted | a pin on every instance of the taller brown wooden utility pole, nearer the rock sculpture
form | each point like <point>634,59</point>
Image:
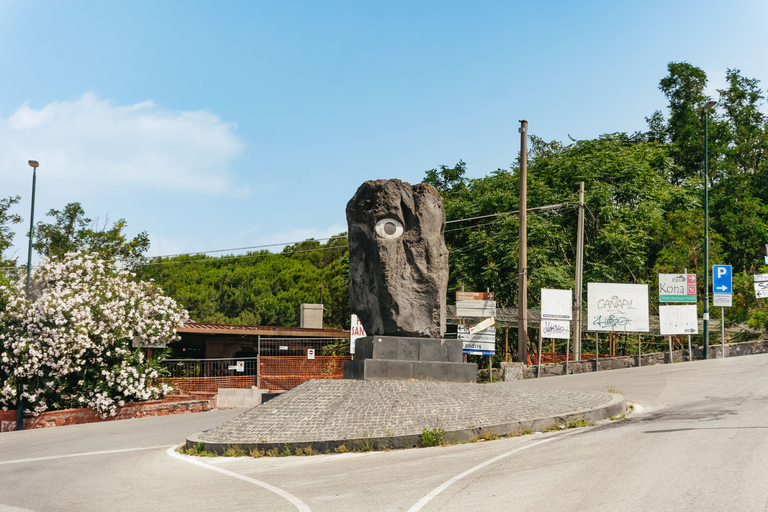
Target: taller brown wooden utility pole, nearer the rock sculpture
<point>522,289</point>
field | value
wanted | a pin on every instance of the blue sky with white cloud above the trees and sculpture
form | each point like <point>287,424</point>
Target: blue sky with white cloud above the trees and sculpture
<point>216,125</point>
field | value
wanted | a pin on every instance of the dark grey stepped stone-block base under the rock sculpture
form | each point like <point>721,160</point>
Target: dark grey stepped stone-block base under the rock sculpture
<point>397,358</point>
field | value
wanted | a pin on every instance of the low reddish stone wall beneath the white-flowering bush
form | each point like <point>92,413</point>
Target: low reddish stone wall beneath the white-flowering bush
<point>177,404</point>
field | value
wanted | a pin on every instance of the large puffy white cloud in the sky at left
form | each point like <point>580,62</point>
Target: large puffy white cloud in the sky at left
<point>91,146</point>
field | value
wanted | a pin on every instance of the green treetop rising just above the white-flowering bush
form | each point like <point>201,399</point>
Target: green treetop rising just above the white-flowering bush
<point>72,231</point>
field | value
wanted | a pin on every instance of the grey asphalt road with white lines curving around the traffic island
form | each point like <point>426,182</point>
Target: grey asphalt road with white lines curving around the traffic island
<point>696,441</point>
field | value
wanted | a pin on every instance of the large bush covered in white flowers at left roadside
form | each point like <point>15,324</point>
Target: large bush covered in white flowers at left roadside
<point>72,342</point>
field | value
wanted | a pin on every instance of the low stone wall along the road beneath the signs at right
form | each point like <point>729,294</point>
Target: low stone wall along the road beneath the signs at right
<point>516,370</point>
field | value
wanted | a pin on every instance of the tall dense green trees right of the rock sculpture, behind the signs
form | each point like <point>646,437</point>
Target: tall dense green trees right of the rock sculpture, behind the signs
<point>644,201</point>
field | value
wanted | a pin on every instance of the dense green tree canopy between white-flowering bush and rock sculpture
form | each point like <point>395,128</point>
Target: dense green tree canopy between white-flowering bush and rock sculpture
<point>259,288</point>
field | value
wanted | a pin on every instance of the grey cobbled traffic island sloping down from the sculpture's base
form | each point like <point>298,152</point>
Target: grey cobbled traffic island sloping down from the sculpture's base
<point>332,411</point>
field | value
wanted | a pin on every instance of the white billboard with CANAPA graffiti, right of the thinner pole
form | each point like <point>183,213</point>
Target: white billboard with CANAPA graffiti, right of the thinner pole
<point>617,307</point>
